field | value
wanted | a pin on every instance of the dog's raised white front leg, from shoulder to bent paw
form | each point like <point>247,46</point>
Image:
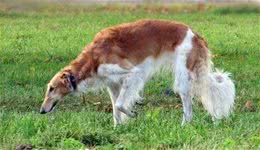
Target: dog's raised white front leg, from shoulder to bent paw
<point>132,82</point>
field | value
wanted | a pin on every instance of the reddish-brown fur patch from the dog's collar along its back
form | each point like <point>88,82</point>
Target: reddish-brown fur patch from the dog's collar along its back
<point>128,45</point>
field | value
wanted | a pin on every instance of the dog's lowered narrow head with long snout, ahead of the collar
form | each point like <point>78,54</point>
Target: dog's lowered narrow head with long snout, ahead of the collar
<point>61,84</point>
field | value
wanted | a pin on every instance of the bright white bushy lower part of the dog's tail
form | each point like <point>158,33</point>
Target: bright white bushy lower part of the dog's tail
<point>218,98</point>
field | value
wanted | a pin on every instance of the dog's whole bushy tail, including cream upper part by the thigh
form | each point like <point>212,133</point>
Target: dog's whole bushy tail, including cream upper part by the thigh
<point>216,89</point>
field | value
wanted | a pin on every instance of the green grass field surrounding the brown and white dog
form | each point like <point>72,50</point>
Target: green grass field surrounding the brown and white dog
<point>35,45</point>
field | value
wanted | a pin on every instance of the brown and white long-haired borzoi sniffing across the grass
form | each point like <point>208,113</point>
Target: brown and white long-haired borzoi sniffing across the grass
<point>124,57</point>
